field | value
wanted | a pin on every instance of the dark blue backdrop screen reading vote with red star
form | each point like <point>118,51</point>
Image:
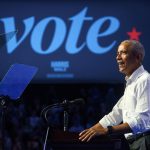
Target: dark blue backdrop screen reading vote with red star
<point>72,41</point>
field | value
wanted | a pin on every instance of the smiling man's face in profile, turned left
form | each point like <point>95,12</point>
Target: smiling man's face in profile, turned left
<point>127,60</point>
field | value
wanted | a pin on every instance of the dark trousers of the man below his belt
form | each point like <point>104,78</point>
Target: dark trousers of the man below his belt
<point>142,143</point>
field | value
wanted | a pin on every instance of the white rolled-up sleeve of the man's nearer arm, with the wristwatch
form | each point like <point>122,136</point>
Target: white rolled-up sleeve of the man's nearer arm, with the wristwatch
<point>139,120</point>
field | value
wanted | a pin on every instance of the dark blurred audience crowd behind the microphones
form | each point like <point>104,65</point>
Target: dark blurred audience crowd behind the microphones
<point>25,128</point>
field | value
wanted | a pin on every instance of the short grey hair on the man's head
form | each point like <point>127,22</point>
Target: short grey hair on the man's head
<point>135,46</point>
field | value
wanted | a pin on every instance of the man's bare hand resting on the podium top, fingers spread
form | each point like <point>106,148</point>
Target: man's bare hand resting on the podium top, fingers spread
<point>90,133</point>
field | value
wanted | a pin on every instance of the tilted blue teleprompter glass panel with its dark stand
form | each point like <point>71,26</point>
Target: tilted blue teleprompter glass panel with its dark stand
<point>11,88</point>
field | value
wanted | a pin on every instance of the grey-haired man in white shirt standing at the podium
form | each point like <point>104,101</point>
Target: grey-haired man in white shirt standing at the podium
<point>131,114</point>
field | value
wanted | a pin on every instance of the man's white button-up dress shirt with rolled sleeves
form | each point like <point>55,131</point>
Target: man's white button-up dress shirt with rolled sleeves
<point>134,106</point>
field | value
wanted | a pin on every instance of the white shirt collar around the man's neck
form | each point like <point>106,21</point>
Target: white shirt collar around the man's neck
<point>135,74</point>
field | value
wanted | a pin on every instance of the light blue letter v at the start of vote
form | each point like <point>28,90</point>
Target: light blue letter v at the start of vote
<point>9,26</point>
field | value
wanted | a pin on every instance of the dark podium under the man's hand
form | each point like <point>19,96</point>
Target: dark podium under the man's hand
<point>61,140</point>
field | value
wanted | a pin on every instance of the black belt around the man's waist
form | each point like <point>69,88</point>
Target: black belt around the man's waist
<point>132,138</point>
